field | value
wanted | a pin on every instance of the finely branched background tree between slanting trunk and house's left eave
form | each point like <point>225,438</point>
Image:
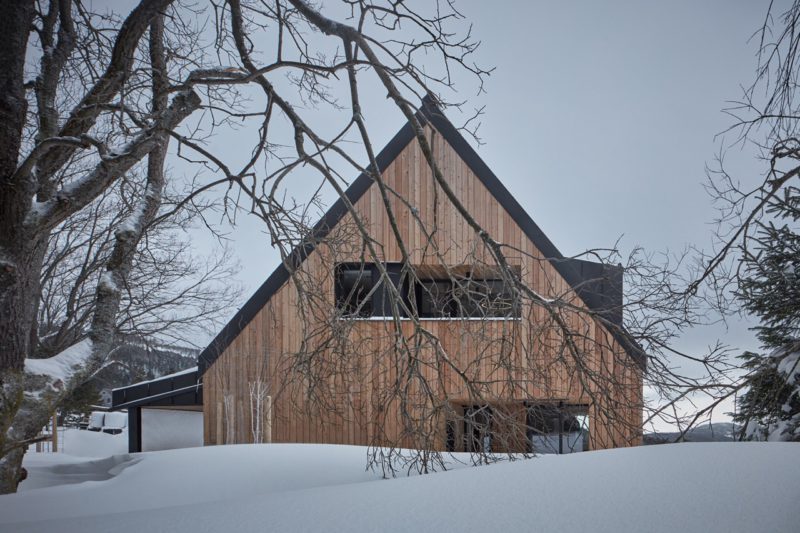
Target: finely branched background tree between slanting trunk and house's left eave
<point>169,295</point>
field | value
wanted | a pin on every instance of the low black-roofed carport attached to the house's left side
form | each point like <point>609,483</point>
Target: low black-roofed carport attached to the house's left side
<point>163,413</point>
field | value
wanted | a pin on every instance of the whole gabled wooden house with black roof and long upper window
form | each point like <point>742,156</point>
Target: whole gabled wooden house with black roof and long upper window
<point>318,355</point>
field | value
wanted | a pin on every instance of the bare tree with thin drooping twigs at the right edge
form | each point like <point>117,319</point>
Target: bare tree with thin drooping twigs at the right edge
<point>703,287</point>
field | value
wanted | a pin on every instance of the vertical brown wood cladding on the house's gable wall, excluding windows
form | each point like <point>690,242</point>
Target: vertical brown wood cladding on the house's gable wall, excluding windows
<point>350,405</point>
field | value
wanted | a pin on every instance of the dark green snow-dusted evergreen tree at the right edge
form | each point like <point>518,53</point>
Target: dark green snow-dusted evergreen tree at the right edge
<point>770,289</point>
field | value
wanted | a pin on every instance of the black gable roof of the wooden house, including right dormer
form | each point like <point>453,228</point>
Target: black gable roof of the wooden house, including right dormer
<point>599,296</point>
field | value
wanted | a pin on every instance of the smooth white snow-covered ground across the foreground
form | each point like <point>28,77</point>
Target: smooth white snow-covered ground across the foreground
<point>676,487</point>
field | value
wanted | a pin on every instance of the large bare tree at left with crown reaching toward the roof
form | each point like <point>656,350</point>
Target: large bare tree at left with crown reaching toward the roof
<point>98,108</point>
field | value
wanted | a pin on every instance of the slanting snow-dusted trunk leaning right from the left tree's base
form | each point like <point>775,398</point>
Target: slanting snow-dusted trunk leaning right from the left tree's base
<point>30,412</point>
